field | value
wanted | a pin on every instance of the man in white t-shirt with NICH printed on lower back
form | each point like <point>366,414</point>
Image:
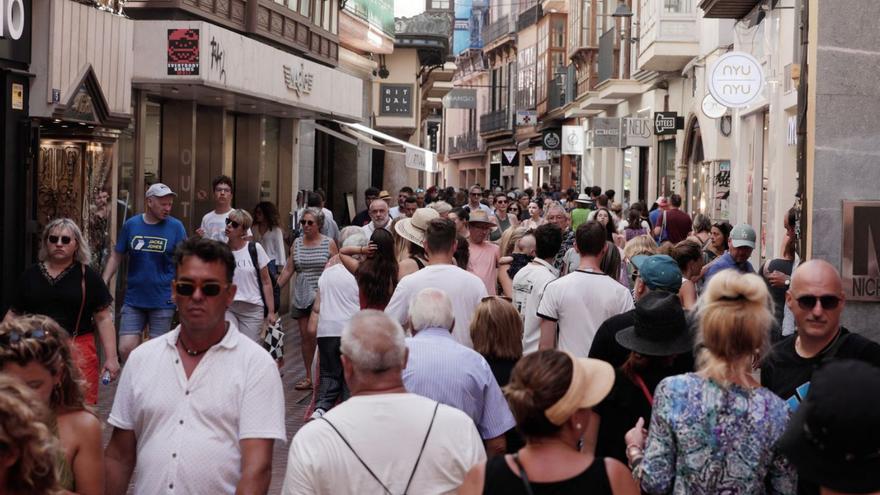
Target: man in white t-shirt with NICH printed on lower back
<point>582,300</point>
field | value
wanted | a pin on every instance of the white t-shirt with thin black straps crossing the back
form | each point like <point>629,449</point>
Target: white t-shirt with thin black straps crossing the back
<point>320,463</point>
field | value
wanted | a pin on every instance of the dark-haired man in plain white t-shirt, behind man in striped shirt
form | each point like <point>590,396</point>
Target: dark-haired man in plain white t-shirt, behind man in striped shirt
<point>464,288</point>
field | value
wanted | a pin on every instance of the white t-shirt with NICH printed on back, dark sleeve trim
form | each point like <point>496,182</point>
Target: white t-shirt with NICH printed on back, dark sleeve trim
<point>580,302</point>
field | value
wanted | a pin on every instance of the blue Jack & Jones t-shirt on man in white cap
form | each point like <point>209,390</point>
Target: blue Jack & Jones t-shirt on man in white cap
<point>150,249</point>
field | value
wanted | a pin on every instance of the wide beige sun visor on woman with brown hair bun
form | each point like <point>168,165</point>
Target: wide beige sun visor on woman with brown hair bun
<point>591,381</point>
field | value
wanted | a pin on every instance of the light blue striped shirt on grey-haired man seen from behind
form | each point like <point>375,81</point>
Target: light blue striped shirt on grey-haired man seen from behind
<point>444,370</point>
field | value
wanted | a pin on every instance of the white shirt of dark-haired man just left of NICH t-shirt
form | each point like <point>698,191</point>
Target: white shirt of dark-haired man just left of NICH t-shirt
<point>528,289</point>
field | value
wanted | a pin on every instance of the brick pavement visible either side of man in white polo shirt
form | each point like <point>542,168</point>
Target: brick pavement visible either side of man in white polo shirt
<point>295,402</point>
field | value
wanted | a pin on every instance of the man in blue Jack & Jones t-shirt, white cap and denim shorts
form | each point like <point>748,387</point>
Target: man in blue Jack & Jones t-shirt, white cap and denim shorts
<point>149,241</point>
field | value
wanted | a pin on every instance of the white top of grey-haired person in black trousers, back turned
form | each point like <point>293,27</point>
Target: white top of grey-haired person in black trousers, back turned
<point>340,300</point>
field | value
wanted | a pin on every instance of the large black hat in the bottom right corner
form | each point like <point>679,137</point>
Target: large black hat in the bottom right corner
<point>834,437</point>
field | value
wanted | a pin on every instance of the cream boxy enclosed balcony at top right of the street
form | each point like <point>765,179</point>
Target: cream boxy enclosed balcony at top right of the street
<point>669,34</point>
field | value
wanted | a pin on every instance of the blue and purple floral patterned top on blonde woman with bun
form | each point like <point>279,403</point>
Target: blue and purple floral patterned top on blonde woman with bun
<point>708,439</point>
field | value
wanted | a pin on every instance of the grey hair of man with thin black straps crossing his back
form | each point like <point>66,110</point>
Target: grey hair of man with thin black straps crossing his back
<point>373,342</point>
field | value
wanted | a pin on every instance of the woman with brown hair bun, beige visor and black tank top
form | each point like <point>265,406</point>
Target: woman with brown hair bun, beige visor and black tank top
<point>550,394</point>
